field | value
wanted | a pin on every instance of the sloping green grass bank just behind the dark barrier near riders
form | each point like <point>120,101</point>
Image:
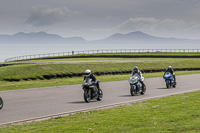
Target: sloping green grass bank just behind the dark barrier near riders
<point>37,70</point>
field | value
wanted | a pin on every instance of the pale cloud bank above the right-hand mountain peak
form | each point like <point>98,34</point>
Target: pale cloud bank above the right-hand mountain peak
<point>160,27</point>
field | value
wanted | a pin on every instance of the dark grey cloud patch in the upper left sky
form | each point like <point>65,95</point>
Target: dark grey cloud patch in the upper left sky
<point>43,16</point>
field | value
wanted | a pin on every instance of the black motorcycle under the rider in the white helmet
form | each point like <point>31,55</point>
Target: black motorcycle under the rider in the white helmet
<point>90,89</point>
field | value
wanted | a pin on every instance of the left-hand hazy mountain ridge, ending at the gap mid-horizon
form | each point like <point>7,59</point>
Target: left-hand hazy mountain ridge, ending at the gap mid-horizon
<point>38,38</point>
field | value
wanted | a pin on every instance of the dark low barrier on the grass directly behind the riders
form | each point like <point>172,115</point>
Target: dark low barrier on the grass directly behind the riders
<point>71,75</point>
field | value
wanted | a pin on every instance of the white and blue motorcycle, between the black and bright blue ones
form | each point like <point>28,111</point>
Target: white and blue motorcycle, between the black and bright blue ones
<point>136,86</point>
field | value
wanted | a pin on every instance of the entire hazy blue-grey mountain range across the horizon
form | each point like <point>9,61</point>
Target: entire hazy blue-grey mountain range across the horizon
<point>130,38</point>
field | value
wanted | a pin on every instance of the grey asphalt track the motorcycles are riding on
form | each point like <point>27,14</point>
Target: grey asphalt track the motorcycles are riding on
<point>30,104</point>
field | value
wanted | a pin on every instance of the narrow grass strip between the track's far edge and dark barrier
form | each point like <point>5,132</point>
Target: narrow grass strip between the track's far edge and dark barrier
<point>4,85</point>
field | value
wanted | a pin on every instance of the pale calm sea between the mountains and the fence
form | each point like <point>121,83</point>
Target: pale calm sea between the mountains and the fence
<point>14,50</point>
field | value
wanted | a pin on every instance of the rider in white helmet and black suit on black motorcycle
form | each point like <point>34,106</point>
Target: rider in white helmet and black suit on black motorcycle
<point>96,82</point>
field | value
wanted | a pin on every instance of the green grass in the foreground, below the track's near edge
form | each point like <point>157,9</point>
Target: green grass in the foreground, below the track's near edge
<point>170,114</point>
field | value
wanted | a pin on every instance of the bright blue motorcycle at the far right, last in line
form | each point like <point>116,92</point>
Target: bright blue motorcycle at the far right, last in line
<point>169,80</point>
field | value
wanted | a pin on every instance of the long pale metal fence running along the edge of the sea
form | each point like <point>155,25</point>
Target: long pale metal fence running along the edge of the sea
<point>25,57</point>
